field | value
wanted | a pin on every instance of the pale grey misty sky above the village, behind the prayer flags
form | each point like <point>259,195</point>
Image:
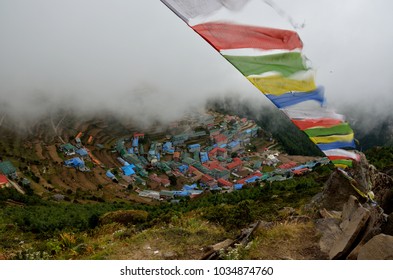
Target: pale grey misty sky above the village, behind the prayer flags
<point>138,58</point>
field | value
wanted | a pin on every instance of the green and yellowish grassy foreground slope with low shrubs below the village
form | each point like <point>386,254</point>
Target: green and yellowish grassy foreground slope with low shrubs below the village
<point>181,231</point>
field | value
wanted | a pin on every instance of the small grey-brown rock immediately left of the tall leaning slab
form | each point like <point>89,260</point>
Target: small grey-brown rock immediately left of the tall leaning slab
<point>330,230</point>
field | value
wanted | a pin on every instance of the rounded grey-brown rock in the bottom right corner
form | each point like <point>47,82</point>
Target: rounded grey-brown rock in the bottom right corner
<point>380,247</point>
